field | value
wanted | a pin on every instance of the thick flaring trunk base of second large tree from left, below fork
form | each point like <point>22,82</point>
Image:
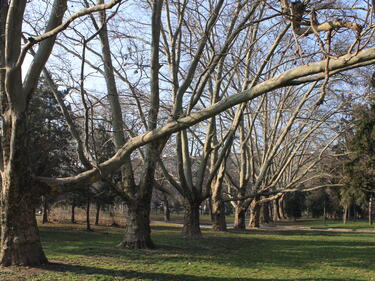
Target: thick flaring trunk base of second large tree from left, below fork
<point>137,229</point>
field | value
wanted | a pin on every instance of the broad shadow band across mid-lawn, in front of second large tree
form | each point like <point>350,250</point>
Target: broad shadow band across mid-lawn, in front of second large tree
<point>244,253</point>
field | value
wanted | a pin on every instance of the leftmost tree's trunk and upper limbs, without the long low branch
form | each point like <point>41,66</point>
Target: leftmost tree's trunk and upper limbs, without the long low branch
<point>20,241</point>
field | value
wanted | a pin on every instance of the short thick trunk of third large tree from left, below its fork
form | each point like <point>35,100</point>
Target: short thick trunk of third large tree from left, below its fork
<point>191,228</point>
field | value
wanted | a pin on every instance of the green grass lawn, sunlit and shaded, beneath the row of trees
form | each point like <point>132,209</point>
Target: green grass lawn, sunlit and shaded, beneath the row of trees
<point>251,255</point>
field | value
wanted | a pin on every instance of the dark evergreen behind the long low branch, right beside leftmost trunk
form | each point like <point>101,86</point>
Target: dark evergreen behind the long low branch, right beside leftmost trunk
<point>49,138</point>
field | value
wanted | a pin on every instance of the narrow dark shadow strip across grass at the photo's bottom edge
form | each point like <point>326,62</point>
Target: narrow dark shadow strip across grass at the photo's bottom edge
<point>119,274</point>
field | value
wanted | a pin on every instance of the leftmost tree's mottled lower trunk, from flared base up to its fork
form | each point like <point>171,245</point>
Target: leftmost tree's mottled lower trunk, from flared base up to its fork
<point>19,240</point>
